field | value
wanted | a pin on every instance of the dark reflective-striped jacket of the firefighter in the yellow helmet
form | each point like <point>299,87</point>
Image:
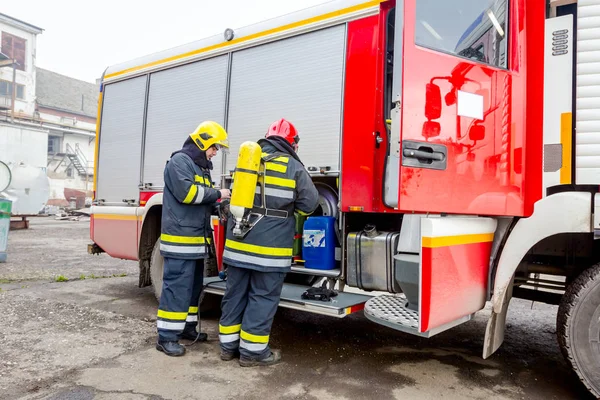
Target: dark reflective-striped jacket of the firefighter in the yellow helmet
<point>188,201</point>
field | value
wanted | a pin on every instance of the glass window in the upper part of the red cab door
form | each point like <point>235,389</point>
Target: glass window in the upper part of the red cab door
<point>473,29</point>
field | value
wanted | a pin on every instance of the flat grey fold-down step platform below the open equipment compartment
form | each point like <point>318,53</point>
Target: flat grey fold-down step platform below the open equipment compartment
<point>291,297</point>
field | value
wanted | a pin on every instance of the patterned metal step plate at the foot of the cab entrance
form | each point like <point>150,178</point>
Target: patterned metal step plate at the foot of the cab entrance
<point>391,311</point>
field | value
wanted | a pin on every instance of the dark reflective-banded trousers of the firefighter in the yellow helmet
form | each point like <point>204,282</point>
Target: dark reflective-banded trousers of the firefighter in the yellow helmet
<point>178,308</point>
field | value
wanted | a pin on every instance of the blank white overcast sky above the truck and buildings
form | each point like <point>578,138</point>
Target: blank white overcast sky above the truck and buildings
<point>82,38</point>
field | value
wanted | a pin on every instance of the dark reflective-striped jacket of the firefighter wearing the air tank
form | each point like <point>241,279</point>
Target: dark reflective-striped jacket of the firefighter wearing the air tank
<point>268,246</point>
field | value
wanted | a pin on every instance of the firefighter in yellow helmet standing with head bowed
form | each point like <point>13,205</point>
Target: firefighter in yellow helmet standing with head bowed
<point>188,202</point>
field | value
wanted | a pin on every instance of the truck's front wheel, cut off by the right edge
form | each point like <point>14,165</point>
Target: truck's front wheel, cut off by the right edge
<point>578,327</point>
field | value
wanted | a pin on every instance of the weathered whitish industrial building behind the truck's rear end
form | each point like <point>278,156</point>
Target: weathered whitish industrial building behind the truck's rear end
<point>47,126</point>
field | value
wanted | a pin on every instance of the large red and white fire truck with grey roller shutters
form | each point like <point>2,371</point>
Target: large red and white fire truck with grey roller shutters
<point>456,144</point>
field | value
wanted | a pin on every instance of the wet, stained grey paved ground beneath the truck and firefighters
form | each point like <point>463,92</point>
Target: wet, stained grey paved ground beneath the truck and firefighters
<point>93,339</point>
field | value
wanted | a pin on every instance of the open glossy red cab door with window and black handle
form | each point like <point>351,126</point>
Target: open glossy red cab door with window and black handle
<point>455,107</point>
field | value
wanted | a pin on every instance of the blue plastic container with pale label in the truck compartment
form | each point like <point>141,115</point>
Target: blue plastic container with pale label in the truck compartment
<point>318,243</point>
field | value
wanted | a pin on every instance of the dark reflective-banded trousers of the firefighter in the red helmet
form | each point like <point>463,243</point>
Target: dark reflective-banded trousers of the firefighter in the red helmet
<point>248,308</point>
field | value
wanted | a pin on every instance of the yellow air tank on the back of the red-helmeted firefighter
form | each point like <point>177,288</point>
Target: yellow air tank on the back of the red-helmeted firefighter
<point>245,179</point>
